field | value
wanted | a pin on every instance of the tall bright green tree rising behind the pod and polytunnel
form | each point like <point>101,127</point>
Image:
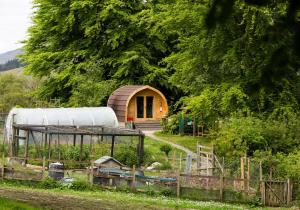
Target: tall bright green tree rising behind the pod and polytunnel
<point>84,47</point>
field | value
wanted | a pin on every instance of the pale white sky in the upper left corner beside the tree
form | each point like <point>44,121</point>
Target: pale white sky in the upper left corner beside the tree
<point>14,21</point>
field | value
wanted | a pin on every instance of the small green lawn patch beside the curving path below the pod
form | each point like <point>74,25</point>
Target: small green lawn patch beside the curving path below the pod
<point>189,142</point>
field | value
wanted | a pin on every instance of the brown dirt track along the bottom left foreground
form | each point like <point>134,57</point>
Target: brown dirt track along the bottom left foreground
<point>57,201</point>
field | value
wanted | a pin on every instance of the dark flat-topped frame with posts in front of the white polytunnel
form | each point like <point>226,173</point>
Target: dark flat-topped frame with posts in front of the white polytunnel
<point>48,130</point>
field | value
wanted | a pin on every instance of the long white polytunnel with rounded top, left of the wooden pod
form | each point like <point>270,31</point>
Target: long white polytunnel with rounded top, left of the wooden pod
<point>86,116</point>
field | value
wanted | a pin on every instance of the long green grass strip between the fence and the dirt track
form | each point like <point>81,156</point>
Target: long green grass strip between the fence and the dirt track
<point>133,199</point>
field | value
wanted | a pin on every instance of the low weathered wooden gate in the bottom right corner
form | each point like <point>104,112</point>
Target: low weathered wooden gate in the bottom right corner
<point>276,193</point>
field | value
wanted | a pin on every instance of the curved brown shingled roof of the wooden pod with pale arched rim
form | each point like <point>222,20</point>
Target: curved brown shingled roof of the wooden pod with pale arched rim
<point>120,98</point>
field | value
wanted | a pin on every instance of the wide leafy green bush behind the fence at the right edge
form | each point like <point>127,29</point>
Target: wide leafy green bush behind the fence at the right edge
<point>240,135</point>
